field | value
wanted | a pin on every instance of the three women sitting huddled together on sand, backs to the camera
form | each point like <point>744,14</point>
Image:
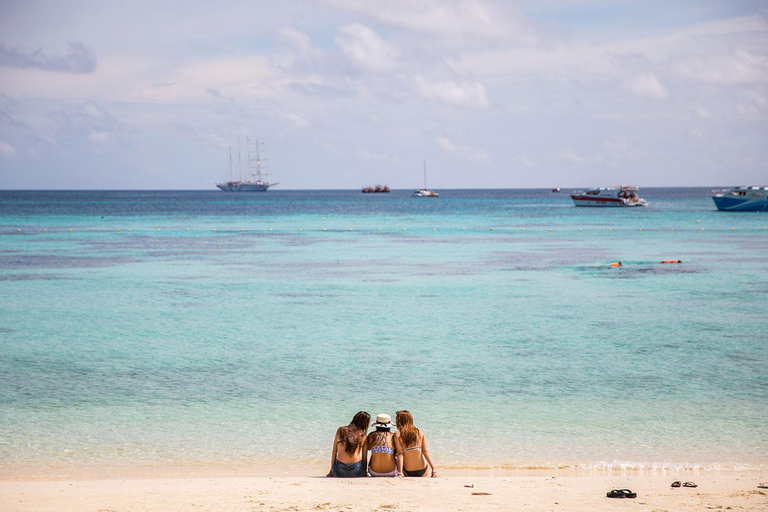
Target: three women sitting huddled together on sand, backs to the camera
<point>403,453</point>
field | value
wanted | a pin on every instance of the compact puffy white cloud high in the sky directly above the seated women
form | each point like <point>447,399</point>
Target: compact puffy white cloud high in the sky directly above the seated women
<point>366,48</point>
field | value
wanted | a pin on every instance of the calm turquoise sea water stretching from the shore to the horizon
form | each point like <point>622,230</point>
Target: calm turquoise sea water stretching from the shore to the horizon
<point>164,329</point>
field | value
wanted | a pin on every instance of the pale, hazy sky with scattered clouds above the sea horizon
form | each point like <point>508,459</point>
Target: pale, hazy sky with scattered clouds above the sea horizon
<point>148,95</point>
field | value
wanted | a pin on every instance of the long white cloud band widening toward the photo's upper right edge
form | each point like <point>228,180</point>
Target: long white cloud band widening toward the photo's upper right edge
<point>722,52</point>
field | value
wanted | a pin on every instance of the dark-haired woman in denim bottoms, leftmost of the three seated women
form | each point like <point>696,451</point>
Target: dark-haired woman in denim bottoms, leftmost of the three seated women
<point>350,461</point>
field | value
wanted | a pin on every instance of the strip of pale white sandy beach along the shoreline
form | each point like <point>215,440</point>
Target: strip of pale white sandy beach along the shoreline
<point>542,491</point>
